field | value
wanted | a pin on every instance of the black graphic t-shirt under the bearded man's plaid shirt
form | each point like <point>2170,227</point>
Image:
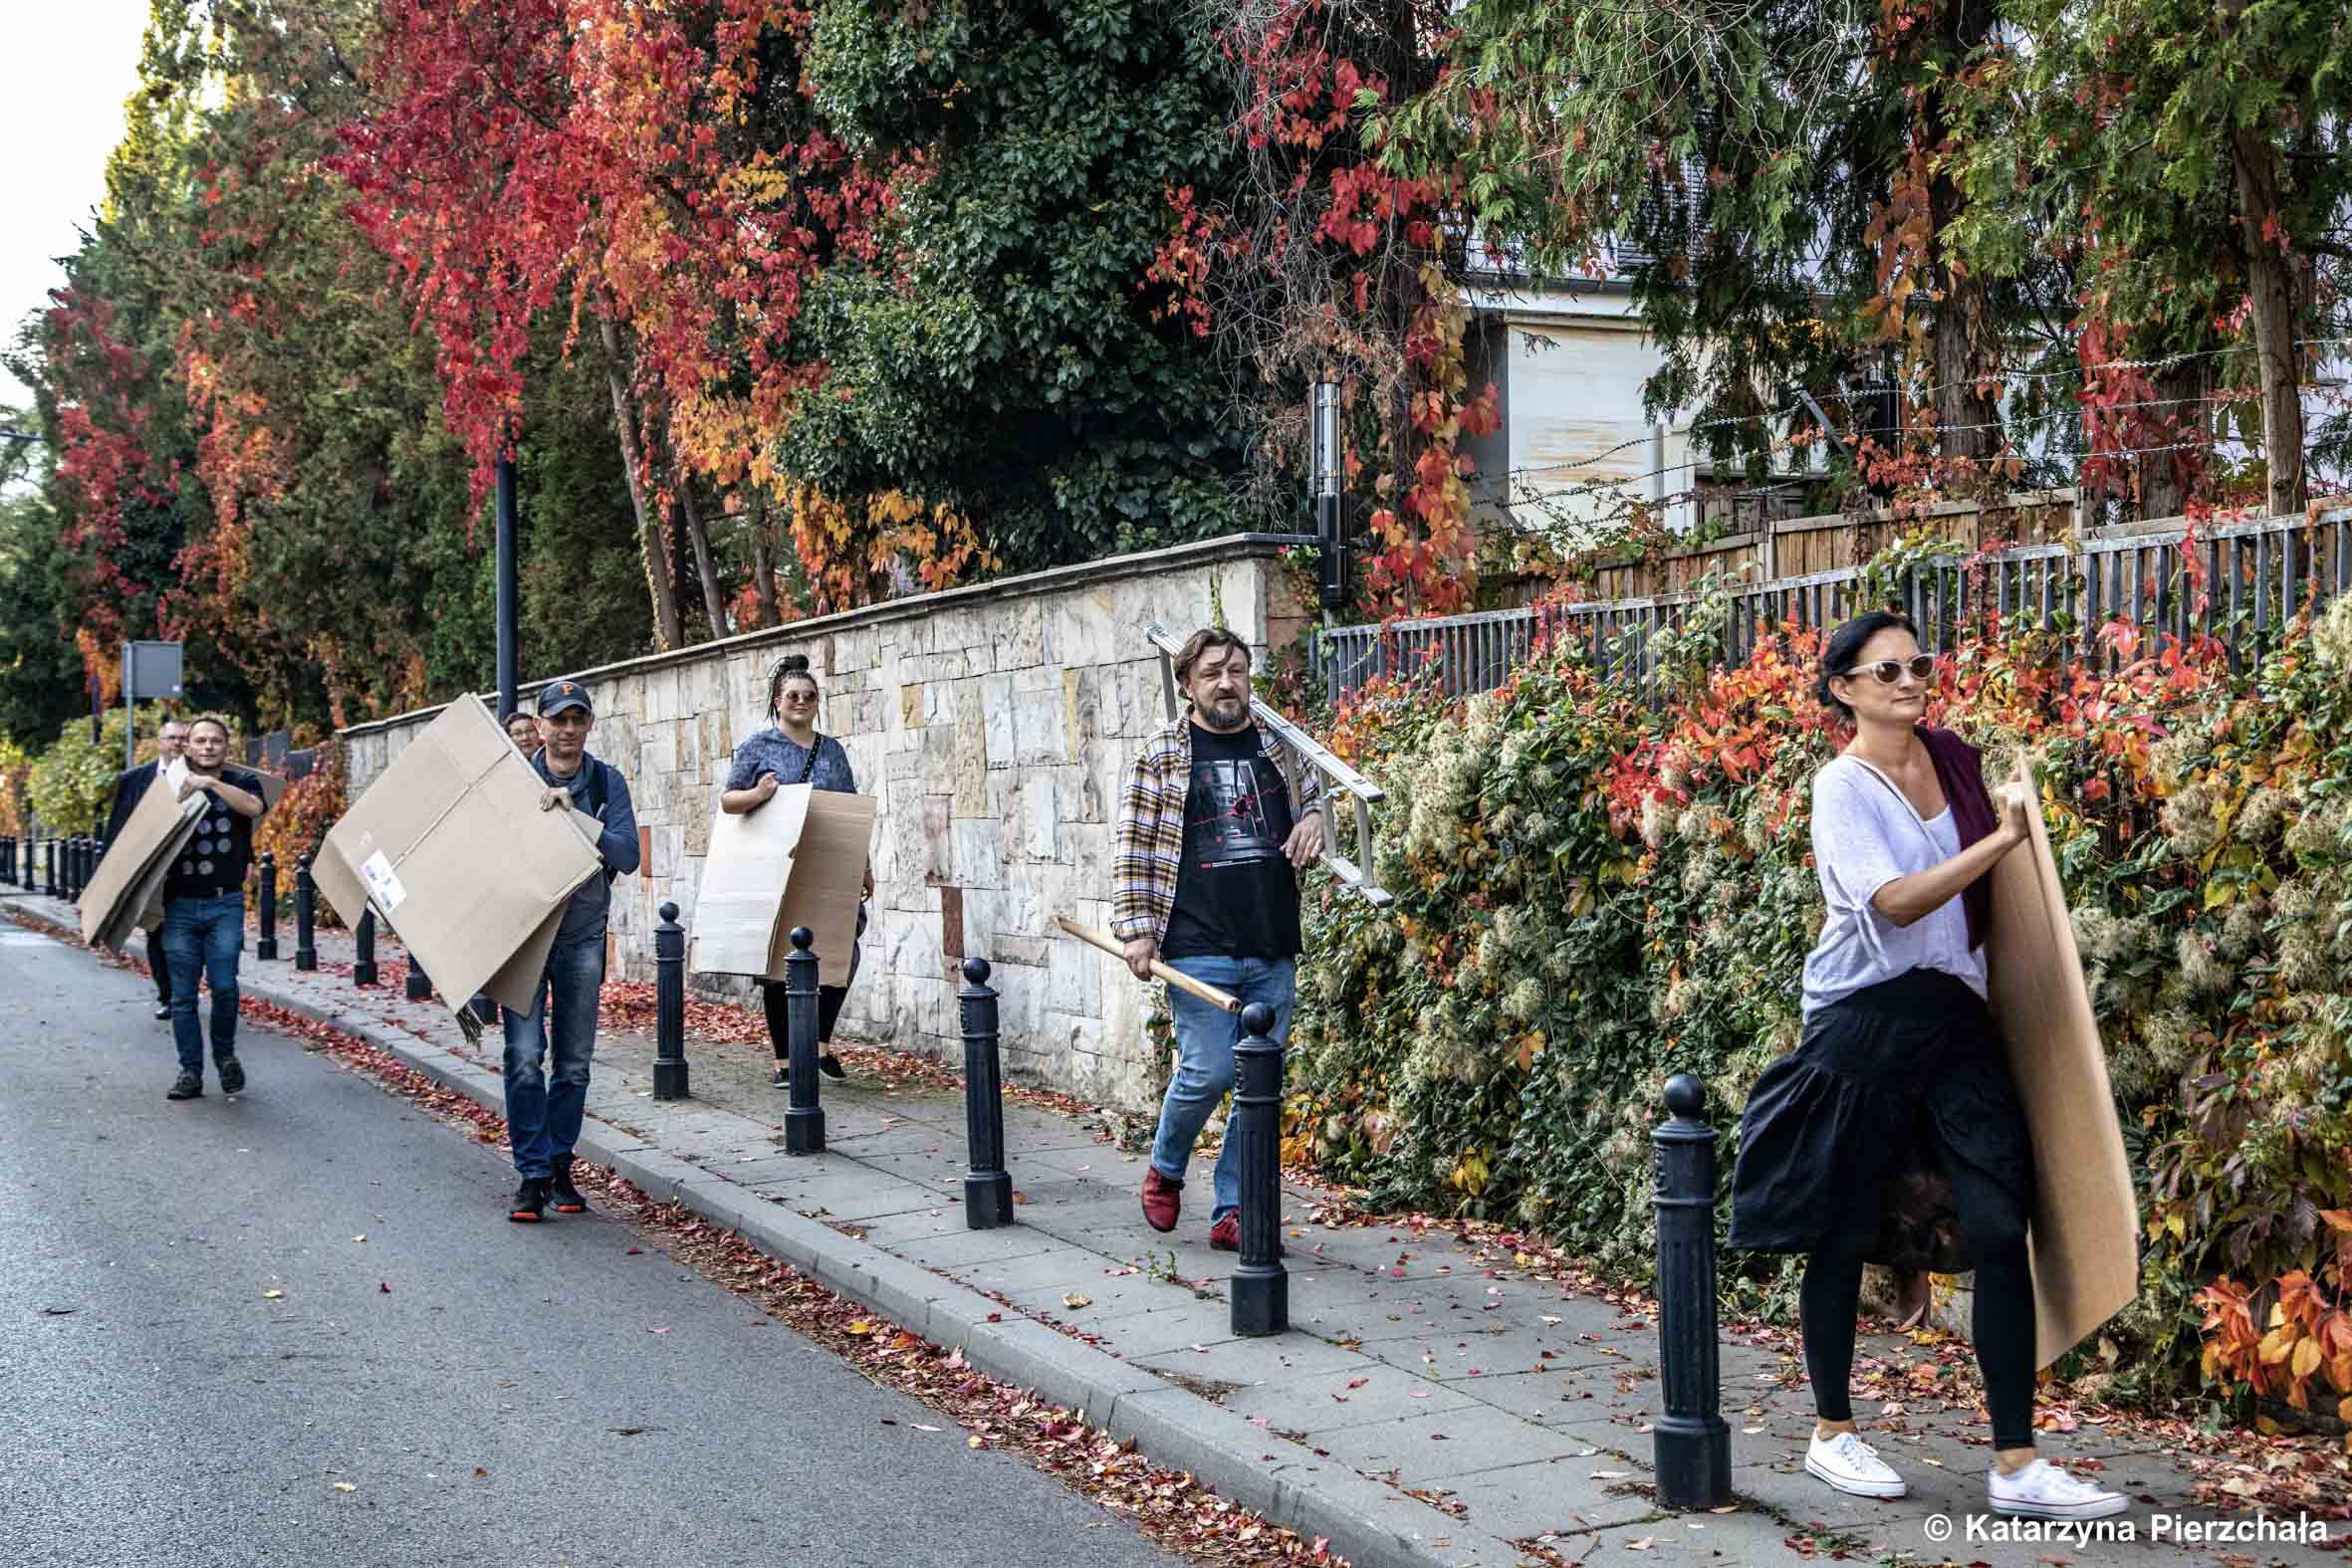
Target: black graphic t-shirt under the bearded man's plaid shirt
<point>1236,894</point>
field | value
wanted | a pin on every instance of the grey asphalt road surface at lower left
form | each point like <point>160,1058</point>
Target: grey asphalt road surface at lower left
<point>156,1407</point>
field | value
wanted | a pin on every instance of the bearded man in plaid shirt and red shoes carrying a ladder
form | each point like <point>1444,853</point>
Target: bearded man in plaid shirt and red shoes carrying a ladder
<point>1215,826</point>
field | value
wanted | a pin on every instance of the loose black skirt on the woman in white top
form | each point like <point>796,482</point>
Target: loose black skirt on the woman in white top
<point>1852,1141</point>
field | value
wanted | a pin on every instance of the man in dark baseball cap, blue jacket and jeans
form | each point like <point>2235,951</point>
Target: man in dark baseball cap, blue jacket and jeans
<point>544,1108</point>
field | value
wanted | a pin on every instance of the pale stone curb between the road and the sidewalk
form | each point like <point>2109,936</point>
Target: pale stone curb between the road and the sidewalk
<point>1172,1426</point>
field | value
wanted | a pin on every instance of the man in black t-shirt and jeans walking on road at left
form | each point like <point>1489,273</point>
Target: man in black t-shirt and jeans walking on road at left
<point>203,909</point>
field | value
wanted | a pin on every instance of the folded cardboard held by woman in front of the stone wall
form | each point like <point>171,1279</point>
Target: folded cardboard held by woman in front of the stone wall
<point>796,862</point>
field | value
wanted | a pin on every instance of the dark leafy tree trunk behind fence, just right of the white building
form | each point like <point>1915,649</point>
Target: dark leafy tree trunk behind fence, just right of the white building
<point>1963,344</point>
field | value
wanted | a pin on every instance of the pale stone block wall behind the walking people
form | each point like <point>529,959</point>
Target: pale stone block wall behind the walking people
<point>994,725</point>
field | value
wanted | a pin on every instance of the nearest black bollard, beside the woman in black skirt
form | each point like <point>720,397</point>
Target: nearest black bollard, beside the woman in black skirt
<point>1695,1445</point>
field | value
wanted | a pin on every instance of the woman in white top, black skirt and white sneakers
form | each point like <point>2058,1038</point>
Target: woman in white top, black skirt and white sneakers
<point>1895,1132</point>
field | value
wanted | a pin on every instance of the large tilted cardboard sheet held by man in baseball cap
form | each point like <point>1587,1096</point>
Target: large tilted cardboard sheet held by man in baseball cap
<point>455,855</point>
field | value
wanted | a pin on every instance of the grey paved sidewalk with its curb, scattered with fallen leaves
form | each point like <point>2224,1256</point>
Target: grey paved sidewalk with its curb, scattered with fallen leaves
<point>1431,1405</point>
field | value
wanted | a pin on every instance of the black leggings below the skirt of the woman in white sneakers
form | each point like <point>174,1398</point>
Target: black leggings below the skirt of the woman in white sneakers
<point>2003,1322</point>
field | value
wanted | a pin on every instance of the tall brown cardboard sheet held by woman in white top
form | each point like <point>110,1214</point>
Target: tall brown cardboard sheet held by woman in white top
<point>2087,1221</point>
